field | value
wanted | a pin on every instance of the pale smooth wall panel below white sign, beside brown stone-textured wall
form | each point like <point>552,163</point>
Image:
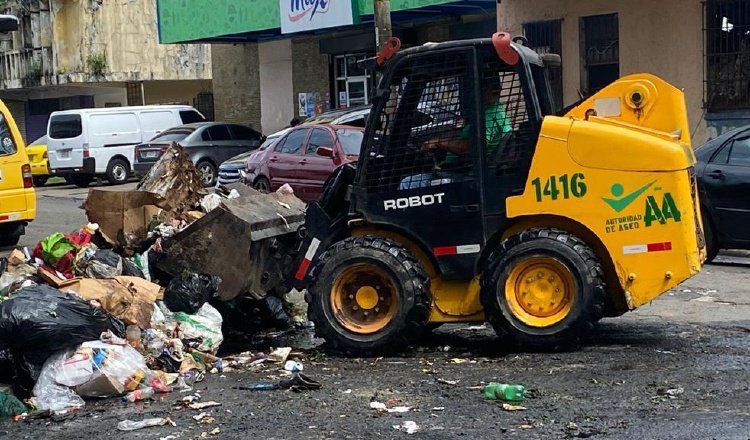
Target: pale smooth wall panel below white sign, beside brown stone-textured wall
<point>275,73</point>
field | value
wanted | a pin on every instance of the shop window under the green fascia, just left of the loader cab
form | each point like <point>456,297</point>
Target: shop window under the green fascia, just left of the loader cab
<point>353,82</point>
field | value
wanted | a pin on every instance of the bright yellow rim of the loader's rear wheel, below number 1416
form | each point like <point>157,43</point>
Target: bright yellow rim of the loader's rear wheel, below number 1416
<point>540,291</point>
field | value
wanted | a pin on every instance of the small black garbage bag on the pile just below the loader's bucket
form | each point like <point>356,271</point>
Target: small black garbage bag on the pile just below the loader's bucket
<point>188,293</point>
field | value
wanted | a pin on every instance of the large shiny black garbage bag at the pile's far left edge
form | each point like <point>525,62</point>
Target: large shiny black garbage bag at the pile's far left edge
<point>40,320</point>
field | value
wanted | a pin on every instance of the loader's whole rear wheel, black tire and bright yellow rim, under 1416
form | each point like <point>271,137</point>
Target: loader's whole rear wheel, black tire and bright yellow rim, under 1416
<point>545,290</point>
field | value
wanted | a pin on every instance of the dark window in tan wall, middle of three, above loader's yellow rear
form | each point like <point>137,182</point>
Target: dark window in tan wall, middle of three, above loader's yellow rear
<point>600,52</point>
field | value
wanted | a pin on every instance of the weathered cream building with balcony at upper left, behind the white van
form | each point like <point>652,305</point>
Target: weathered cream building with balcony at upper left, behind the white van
<point>94,53</point>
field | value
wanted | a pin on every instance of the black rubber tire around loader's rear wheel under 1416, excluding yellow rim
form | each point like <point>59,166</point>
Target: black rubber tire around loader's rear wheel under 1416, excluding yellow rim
<point>588,306</point>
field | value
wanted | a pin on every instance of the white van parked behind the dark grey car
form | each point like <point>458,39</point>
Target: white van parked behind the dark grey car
<point>93,142</point>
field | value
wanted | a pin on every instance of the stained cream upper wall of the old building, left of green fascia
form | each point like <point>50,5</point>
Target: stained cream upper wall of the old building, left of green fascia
<point>126,31</point>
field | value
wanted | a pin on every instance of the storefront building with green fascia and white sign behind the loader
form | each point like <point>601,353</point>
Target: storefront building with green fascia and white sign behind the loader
<point>278,59</point>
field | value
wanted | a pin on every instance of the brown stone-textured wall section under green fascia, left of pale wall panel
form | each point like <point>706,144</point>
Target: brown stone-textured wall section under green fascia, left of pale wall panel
<point>236,83</point>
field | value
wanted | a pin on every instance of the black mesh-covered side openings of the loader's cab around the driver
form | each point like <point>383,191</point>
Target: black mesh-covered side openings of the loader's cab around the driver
<point>432,122</point>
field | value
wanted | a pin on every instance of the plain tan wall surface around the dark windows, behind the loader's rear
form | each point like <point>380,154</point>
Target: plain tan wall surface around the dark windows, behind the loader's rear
<point>664,38</point>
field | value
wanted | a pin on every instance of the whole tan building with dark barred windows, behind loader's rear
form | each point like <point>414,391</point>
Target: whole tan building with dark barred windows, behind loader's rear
<point>700,46</point>
